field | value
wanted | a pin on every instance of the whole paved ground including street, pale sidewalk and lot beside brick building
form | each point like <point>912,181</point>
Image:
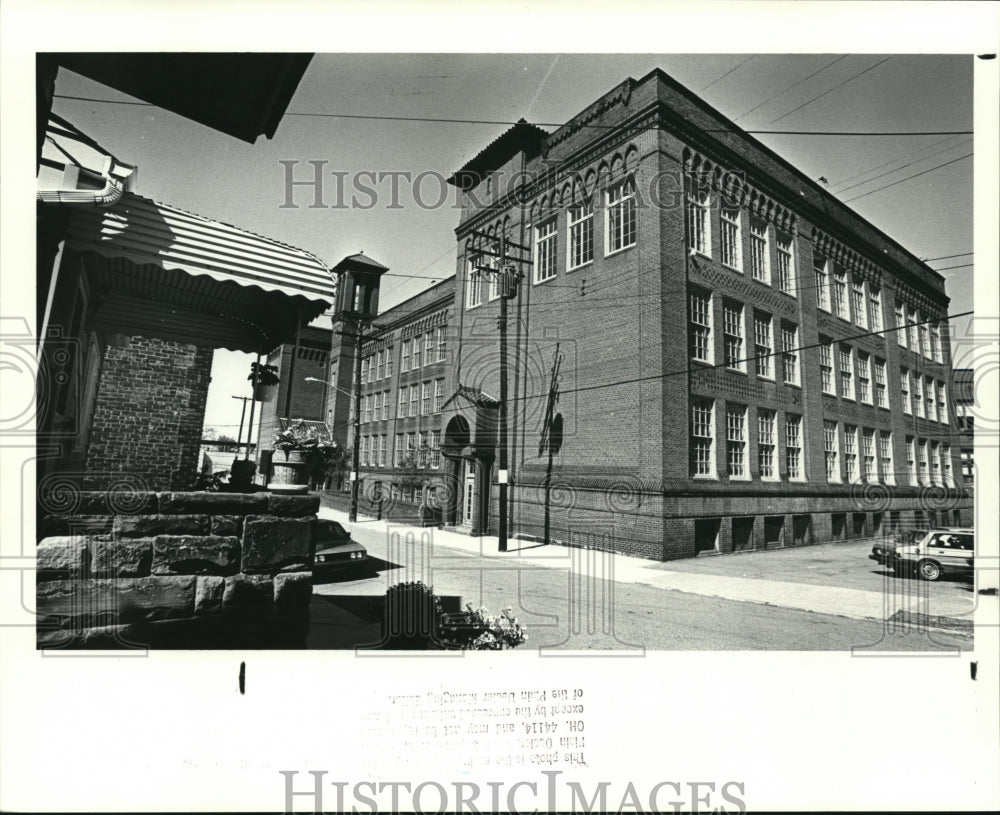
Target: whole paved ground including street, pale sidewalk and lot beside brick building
<point>829,597</point>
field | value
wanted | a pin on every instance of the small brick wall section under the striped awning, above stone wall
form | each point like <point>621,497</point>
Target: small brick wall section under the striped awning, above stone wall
<point>149,414</point>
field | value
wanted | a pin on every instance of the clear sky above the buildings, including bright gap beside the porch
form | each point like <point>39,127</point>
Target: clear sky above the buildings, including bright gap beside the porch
<point>196,168</point>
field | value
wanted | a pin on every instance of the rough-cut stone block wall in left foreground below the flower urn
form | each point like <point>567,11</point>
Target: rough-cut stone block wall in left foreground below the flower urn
<point>181,570</point>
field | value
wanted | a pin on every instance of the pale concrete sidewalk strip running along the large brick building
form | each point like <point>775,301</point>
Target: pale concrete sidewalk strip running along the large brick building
<point>909,600</point>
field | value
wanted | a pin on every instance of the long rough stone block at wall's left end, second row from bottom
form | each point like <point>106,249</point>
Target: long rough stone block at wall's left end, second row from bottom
<point>96,603</point>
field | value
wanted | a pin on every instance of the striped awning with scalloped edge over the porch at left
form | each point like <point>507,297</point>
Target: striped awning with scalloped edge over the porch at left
<point>177,275</point>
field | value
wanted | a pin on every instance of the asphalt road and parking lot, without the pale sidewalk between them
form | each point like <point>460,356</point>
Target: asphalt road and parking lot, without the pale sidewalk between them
<point>605,615</point>
